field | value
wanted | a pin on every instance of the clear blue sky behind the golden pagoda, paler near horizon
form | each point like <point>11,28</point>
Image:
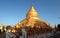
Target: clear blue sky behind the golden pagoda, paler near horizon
<point>13,11</point>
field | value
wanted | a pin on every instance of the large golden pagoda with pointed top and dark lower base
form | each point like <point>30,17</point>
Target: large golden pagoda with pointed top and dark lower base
<point>33,24</point>
